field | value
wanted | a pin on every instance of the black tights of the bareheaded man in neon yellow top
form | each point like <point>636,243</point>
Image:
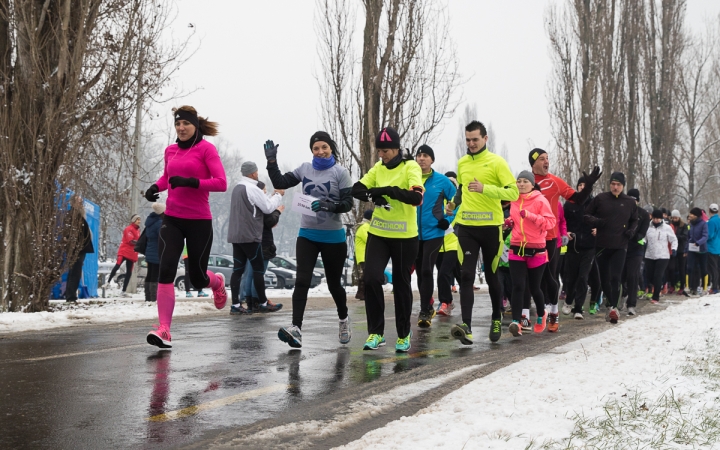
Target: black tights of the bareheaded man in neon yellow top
<point>472,241</point>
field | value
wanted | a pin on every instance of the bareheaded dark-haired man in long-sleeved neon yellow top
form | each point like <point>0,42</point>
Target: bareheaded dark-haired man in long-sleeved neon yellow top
<point>485,180</point>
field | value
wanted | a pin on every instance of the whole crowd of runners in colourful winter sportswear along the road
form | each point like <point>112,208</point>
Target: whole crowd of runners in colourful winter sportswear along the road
<point>529,244</point>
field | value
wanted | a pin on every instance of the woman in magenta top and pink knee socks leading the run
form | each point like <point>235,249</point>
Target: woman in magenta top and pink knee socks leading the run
<point>192,170</point>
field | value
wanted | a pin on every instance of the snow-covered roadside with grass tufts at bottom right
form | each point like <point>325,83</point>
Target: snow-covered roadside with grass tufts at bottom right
<point>653,382</point>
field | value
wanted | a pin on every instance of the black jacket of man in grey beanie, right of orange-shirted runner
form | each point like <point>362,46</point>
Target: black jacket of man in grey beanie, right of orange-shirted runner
<point>615,218</point>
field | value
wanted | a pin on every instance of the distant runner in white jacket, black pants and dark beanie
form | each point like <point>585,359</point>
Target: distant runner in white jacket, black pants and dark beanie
<point>661,244</point>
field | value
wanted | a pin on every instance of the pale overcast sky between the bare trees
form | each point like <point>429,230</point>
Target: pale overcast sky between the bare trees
<point>255,69</point>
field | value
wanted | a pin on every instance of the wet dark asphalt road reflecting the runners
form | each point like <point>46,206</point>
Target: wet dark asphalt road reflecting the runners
<point>228,379</point>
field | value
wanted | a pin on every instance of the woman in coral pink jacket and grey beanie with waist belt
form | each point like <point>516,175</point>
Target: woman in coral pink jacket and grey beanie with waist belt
<point>530,217</point>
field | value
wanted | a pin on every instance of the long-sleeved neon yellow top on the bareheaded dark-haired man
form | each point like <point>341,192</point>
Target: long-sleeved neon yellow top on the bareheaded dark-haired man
<point>483,209</point>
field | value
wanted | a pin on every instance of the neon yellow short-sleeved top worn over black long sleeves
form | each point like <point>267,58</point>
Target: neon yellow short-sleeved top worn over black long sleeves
<point>400,221</point>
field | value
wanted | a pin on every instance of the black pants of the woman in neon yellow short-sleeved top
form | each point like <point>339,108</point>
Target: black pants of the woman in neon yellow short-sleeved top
<point>403,253</point>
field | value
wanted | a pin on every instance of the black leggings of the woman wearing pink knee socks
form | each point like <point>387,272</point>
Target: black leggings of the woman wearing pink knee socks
<point>175,234</point>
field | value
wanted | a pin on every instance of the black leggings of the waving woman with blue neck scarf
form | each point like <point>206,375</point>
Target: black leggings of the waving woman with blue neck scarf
<point>333,257</point>
